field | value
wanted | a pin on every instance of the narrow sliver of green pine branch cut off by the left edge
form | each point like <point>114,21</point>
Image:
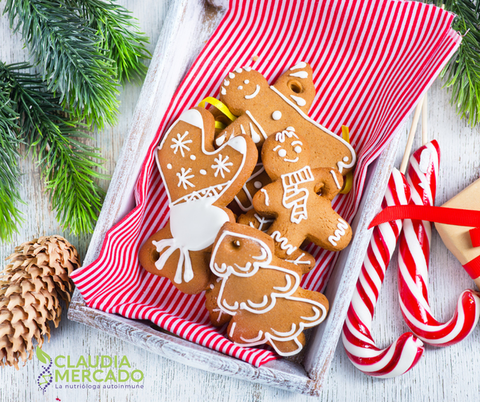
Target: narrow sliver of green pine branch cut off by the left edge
<point>10,216</point>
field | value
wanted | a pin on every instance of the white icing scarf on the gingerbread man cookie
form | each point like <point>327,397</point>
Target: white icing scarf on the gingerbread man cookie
<point>294,196</point>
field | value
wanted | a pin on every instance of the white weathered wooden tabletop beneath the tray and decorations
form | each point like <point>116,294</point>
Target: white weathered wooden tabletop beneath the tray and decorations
<point>443,374</point>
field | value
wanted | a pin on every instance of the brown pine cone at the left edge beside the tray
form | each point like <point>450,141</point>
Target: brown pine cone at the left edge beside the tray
<point>32,283</point>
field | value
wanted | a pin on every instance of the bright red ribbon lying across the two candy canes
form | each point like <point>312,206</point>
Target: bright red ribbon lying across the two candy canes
<point>449,216</point>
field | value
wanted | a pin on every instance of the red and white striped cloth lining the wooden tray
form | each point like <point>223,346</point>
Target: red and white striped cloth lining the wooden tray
<point>372,60</point>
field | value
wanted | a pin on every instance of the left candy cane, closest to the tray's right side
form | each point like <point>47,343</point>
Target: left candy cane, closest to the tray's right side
<point>357,339</point>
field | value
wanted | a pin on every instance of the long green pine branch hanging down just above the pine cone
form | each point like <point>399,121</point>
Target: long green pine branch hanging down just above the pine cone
<point>67,165</point>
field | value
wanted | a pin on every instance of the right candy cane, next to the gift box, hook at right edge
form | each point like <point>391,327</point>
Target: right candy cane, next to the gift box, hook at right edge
<point>413,261</point>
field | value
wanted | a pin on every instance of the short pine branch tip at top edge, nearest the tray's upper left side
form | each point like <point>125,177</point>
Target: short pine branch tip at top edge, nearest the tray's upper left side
<point>120,36</point>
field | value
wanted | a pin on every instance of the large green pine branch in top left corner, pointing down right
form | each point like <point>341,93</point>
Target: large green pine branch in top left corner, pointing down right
<point>68,53</point>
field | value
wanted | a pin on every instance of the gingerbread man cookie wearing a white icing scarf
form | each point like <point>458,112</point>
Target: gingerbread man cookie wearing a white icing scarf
<point>299,199</point>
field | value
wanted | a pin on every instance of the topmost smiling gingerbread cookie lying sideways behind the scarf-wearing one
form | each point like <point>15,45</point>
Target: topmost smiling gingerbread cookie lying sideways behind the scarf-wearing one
<point>264,110</point>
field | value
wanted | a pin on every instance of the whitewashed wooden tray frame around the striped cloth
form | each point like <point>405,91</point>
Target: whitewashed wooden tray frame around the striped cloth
<point>188,25</point>
